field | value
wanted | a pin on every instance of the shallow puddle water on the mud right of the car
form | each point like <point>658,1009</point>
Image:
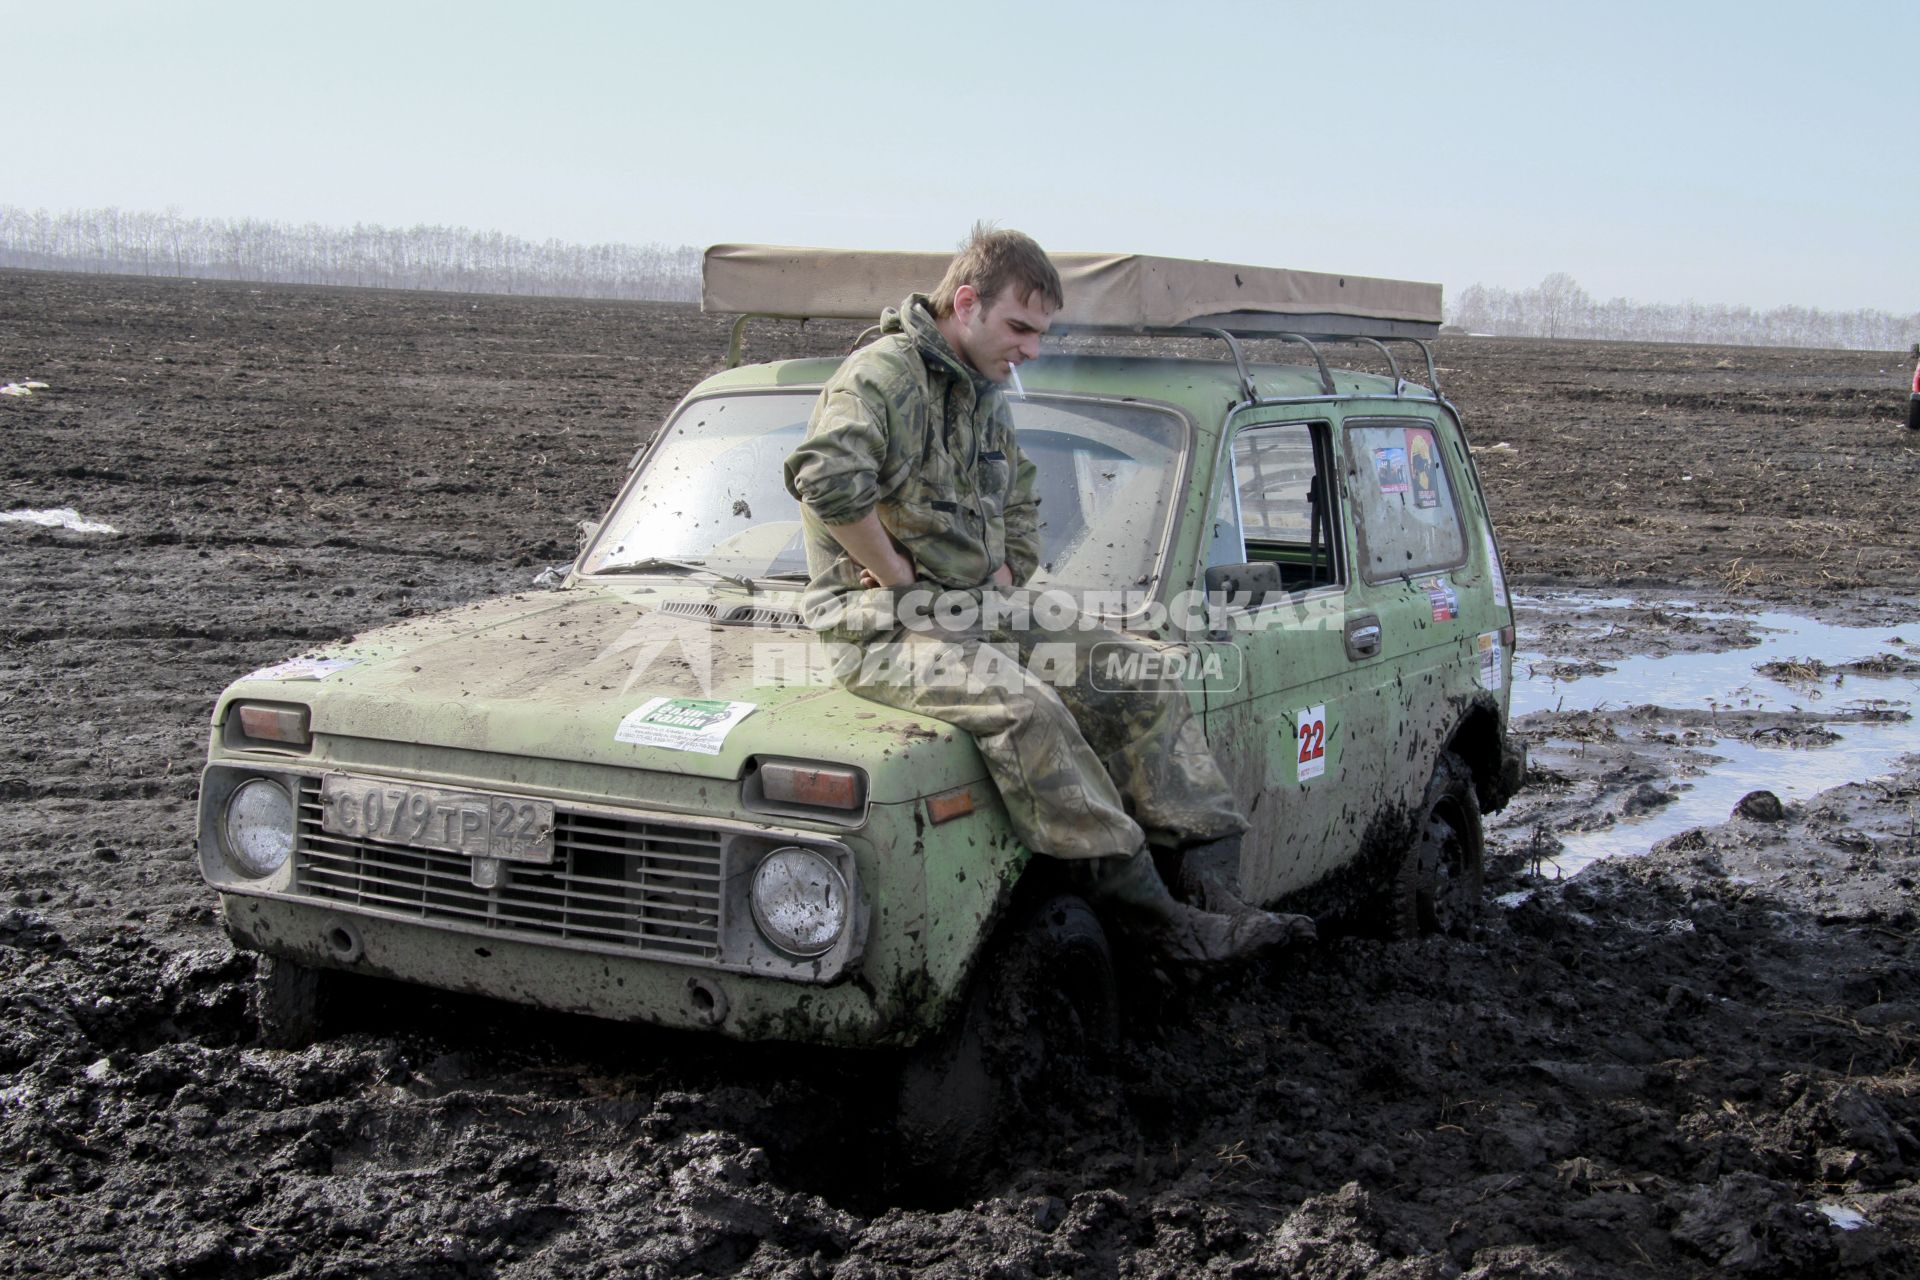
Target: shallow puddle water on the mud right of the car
<point>1729,682</point>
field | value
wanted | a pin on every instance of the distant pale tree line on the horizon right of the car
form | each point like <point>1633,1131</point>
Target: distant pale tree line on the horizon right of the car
<point>1560,308</point>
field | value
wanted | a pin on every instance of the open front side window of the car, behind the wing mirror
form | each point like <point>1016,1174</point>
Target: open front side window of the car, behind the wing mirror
<point>1280,508</point>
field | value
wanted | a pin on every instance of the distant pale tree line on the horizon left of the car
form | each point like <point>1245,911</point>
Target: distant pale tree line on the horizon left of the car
<point>406,258</point>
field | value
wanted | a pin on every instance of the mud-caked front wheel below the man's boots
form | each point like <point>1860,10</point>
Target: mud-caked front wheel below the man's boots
<point>1044,1003</point>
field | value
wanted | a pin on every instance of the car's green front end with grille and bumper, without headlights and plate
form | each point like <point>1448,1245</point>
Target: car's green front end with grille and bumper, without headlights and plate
<point>642,916</point>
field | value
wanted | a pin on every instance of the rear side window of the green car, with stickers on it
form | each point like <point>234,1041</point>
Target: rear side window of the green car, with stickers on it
<point>1401,488</point>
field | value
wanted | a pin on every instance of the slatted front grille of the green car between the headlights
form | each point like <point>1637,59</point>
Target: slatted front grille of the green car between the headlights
<point>644,888</point>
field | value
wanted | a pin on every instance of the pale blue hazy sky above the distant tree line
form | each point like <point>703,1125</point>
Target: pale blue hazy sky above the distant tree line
<point>1754,153</point>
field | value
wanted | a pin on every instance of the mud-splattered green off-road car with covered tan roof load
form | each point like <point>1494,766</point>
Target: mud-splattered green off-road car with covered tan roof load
<point>640,797</point>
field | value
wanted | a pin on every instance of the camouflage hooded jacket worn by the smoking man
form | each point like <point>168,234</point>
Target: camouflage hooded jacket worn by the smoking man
<point>907,429</point>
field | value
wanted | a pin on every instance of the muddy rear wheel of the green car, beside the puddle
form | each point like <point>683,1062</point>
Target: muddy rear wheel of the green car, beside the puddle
<point>1439,882</point>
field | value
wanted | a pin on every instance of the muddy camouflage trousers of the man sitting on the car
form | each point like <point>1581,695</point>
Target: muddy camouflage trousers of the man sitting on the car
<point>1092,753</point>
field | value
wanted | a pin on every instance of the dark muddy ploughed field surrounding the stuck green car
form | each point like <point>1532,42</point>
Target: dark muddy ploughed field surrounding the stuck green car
<point>1700,1058</point>
